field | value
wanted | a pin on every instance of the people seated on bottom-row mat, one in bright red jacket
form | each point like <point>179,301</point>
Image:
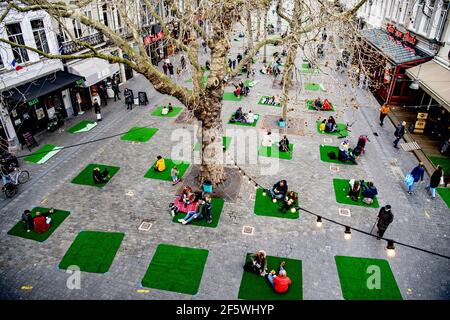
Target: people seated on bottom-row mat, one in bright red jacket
<point>258,264</point>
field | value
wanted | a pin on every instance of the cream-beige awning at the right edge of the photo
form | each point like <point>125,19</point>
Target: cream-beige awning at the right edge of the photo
<point>434,79</point>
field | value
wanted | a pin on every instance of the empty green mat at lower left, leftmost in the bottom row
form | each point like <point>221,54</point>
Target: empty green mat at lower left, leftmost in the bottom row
<point>92,251</point>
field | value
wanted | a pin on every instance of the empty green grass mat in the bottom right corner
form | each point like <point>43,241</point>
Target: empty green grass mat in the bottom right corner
<point>358,279</point>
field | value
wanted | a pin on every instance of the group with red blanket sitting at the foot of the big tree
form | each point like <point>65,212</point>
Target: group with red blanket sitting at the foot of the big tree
<point>196,205</point>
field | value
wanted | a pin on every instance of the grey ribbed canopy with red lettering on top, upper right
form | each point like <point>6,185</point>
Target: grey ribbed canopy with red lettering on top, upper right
<point>394,49</point>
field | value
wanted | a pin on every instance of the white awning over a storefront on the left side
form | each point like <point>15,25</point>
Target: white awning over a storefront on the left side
<point>94,70</point>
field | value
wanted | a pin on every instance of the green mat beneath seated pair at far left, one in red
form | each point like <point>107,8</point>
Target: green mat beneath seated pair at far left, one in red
<point>58,217</point>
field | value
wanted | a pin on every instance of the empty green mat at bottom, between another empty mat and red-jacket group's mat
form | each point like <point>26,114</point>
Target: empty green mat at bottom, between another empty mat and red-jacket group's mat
<point>178,269</point>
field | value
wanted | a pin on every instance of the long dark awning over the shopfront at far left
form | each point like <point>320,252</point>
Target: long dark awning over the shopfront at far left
<point>57,81</point>
